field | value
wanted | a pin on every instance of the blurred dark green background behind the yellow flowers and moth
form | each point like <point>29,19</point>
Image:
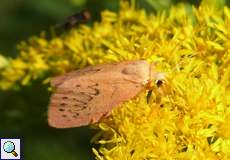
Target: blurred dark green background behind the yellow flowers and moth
<point>23,112</point>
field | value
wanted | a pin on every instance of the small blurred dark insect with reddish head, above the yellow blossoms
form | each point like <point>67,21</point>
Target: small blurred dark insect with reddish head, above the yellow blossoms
<point>75,19</point>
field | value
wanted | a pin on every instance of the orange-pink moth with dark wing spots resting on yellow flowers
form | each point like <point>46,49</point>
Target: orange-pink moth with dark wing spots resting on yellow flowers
<point>84,96</point>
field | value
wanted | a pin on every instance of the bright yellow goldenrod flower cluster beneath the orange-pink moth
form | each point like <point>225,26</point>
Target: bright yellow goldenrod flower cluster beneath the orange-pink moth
<point>187,117</point>
